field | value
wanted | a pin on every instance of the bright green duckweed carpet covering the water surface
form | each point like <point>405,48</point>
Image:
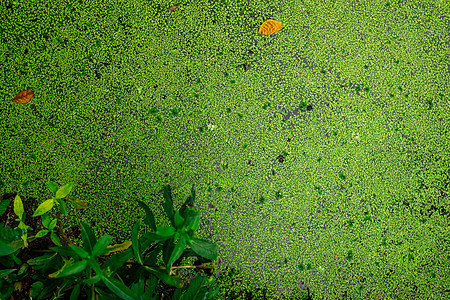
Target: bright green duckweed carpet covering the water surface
<point>319,153</point>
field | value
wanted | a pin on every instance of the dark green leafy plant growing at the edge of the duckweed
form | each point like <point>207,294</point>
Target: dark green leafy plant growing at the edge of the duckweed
<point>98,270</point>
